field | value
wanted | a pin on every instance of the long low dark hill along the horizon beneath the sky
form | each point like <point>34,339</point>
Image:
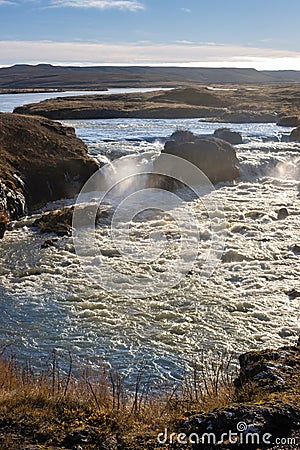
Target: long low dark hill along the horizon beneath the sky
<point>46,76</point>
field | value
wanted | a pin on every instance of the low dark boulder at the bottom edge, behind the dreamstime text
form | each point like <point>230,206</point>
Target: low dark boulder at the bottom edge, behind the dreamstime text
<point>246,425</point>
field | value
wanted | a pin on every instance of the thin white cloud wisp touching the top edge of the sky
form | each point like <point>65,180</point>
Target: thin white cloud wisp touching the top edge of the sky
<point>129,5</point>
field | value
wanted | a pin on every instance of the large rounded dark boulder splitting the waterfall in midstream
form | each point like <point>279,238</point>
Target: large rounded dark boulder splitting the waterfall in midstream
<point>215,157</point>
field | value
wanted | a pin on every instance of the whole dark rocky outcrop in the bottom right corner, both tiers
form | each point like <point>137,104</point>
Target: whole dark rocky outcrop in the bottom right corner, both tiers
<point>265,374</point>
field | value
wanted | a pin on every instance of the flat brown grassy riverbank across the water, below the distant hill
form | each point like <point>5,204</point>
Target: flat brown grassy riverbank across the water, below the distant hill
<point>268,103</point>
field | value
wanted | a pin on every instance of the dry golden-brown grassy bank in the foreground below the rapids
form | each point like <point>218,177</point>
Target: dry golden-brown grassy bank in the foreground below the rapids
<point>53,409</point>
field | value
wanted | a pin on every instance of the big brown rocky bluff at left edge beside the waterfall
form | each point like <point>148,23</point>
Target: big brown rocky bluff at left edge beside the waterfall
<point>40,161</point>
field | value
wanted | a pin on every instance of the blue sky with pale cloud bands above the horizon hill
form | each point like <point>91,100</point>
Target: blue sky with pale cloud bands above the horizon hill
<point>263,34</point>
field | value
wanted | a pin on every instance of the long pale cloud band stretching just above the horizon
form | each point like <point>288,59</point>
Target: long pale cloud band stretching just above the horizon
<point>192,55</point>
